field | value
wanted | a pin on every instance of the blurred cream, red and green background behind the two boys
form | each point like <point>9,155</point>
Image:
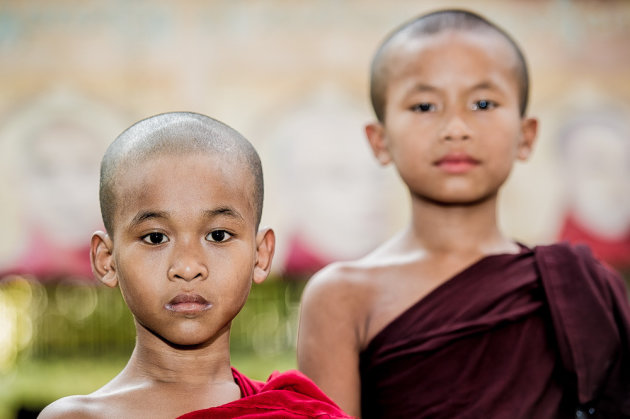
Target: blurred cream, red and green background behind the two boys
<point>292,76</point>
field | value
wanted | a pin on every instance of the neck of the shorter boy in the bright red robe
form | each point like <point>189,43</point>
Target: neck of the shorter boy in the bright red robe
<point>163,363</point>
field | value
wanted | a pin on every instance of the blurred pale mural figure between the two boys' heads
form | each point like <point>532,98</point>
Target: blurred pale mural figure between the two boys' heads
<point>332,197</point>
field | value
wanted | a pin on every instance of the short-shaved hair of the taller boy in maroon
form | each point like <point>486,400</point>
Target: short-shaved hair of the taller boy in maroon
<point>432,24</point>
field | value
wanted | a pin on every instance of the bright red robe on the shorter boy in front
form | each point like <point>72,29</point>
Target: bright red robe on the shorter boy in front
<point>287,395</point>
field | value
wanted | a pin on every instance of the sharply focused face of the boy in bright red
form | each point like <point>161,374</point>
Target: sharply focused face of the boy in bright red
<point>185,244</point>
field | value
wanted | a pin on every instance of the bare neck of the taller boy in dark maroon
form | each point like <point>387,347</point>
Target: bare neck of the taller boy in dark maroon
<point>464,229</point>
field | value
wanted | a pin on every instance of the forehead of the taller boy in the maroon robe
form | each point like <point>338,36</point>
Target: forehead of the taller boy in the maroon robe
<point>453,55</point>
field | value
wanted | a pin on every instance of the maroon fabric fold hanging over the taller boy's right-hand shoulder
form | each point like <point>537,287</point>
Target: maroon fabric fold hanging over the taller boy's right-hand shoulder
<point>591,319</point>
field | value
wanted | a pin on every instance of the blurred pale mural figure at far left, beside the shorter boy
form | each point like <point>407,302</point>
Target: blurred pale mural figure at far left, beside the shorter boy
<point>56,143</point>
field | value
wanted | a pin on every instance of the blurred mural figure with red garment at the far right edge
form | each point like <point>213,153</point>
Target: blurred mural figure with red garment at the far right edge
<point>594,149</point>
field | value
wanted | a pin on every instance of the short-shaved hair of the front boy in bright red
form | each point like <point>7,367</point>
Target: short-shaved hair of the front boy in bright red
<point>175,133</point>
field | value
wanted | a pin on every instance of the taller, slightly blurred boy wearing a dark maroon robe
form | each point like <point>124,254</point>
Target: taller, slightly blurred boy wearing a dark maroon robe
<point>451,318</point>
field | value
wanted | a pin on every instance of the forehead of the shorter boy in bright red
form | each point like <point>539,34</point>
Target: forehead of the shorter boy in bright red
<point>184,185</point>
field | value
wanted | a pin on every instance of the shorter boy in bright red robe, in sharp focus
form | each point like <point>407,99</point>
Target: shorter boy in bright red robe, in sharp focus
<point>181,198</point>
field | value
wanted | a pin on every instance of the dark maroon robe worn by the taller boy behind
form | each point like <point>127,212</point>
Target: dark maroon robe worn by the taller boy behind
<point>537,334</point>
